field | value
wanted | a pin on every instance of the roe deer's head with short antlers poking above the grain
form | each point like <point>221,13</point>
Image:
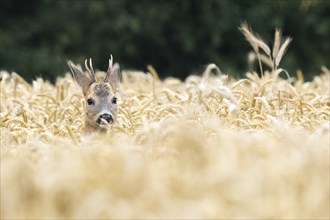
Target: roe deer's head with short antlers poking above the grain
<point>101,101</point>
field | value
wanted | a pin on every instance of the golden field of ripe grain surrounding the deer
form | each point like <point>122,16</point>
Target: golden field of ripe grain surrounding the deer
<point>208,147</point>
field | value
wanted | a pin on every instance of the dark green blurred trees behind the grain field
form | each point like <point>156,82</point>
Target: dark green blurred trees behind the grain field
<point>176,37</point>
